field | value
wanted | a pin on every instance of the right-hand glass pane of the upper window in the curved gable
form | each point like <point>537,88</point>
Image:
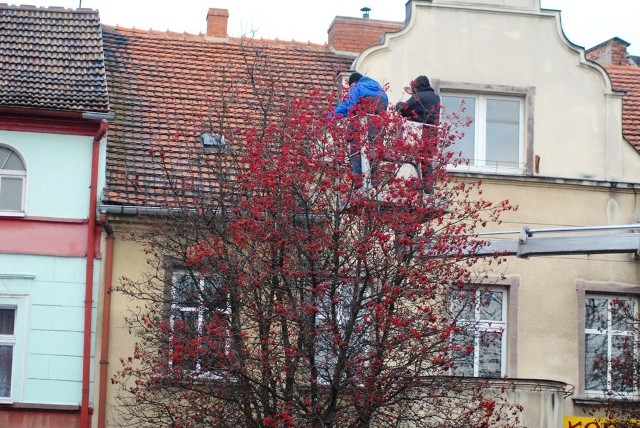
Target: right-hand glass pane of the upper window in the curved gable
<point>503,133</point>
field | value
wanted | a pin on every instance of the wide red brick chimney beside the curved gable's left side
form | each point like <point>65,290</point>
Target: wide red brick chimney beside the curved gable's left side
<point>356,34</point>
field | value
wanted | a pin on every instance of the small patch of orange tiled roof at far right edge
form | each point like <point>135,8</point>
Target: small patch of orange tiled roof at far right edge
<point>627,78</point>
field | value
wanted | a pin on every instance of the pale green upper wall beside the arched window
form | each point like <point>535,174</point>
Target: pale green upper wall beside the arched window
<point>58,172</point>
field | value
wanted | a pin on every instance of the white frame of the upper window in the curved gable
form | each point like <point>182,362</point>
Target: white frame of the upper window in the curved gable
<point>481,93</point>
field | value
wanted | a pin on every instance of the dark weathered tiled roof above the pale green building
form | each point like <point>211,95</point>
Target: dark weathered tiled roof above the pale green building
<point>51,58</point>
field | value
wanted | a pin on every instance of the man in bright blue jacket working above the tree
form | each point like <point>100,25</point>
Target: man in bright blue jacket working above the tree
<point>366,93</point>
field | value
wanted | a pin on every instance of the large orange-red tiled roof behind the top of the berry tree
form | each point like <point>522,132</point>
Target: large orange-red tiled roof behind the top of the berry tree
<point>163,86</point>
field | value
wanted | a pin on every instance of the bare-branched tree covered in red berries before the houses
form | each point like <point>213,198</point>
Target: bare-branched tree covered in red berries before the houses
<point>280,293</point>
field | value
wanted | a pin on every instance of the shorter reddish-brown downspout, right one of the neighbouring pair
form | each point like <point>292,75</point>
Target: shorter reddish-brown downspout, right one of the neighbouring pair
<point>106,321</point>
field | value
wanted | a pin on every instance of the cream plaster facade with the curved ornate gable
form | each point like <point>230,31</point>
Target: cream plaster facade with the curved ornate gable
<point>588,174</point>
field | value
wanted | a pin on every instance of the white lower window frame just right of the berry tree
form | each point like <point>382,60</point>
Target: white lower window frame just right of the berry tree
<point>480,327</point>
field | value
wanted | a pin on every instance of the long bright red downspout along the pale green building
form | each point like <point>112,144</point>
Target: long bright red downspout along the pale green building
<point>88,301</point>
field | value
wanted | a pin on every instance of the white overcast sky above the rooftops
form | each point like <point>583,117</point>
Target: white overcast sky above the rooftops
<point>585,22</point>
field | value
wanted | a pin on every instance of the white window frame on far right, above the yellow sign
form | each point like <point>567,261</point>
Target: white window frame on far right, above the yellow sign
<point>610,333</point>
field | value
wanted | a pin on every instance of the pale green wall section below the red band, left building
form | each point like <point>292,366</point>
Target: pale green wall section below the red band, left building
<point>54,288</point>
